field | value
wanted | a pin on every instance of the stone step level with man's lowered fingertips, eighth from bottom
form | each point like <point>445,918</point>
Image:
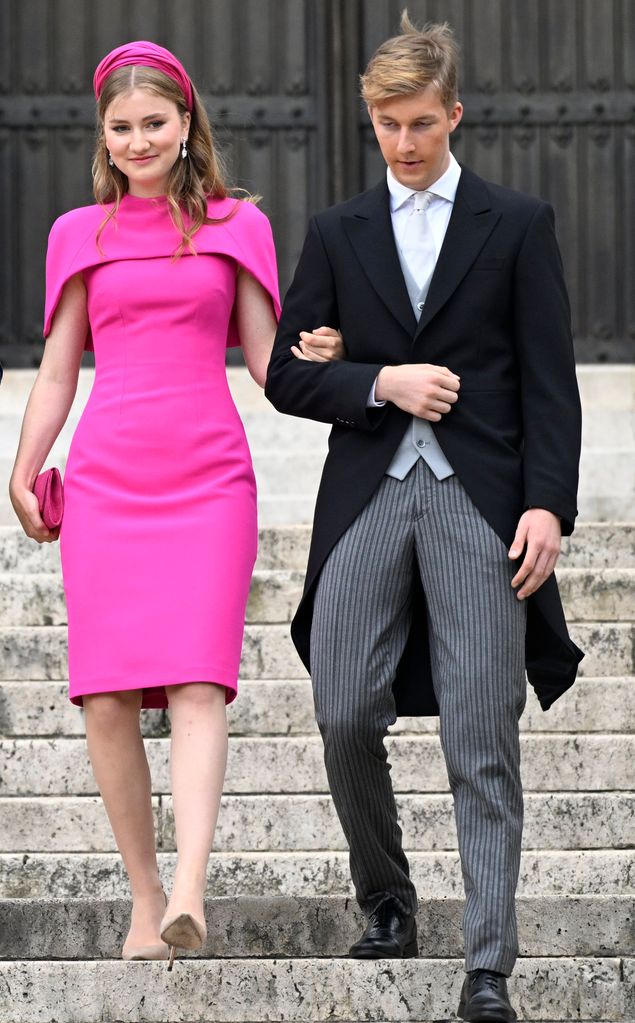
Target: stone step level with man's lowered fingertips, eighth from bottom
<point>37,599</point>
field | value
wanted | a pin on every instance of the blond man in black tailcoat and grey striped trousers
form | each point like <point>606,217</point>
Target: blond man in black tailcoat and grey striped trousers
<point>451,475</point>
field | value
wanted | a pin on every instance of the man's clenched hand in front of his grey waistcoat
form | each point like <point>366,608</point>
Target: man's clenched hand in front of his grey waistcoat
<point>426,391</point>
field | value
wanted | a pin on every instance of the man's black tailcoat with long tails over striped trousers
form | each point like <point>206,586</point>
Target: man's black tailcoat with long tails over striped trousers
<point>496,315</point>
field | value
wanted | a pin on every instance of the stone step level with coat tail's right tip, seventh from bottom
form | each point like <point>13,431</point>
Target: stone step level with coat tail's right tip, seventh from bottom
<point>40,652</point>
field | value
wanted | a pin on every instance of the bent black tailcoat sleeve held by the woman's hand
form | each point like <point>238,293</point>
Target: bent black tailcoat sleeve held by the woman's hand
<point>334,392</point>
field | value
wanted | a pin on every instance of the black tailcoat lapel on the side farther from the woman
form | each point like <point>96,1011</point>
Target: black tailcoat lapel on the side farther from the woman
<point>472,223</point>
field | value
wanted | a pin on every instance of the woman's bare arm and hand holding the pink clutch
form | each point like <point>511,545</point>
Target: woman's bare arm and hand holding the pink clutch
<point>50,405</point>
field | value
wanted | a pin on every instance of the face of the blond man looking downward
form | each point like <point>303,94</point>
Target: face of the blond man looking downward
<point>414,134</point>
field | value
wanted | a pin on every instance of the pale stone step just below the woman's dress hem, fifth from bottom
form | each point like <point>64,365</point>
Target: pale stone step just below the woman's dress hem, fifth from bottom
<point>551,764</point>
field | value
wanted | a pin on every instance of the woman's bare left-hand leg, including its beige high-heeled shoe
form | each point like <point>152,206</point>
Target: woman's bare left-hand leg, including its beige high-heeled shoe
<point>121,769</point>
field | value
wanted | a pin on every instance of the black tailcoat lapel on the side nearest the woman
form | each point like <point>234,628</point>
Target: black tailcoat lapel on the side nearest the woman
<point>371,234</point>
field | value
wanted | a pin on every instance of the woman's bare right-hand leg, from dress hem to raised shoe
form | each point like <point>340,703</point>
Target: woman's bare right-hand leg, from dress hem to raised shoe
<point>199,762</point>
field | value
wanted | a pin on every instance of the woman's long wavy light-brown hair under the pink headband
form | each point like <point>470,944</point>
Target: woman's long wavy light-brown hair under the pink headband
<point>193,182</point>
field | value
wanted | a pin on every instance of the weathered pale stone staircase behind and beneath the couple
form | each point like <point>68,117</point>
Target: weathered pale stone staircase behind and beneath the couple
<point>281,909</point>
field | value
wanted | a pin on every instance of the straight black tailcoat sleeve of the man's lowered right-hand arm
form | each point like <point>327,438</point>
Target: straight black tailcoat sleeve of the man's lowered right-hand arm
<point>552,415</point>
